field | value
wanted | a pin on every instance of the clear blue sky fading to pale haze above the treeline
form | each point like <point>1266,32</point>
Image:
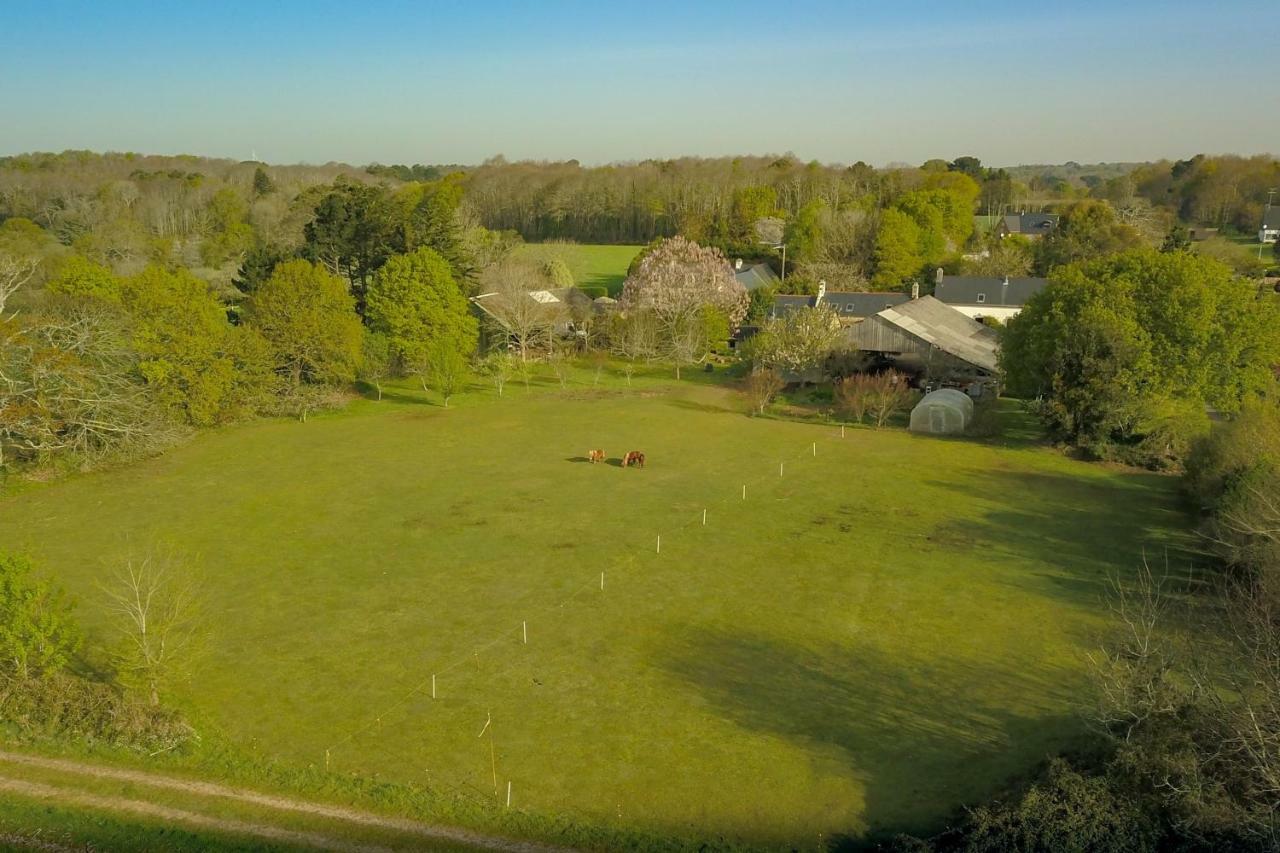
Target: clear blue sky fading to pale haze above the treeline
<point>456,83</point>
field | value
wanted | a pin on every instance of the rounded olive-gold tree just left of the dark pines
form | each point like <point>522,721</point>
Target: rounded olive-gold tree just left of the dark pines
<point>309,318</point>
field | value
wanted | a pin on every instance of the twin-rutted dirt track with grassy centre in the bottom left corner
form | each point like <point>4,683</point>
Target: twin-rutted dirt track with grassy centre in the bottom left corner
<point>413,829</point>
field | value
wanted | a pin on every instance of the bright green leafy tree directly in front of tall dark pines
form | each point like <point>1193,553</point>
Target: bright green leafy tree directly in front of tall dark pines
<point>415,302</point>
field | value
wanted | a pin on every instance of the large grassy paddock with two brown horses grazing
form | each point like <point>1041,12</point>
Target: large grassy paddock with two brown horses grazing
<point>894,627</point>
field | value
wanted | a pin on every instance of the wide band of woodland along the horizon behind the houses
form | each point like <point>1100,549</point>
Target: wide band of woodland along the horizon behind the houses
<point>856,227</point>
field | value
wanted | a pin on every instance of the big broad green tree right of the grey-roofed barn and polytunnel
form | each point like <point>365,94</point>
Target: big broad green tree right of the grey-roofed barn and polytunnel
<point>1114,340</point>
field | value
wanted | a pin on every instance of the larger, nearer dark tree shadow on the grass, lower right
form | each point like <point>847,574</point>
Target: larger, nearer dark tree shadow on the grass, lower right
<point>921,735</point>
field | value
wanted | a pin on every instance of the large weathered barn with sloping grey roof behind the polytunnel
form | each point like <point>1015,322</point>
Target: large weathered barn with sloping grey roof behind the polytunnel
<point>931,337</point>
